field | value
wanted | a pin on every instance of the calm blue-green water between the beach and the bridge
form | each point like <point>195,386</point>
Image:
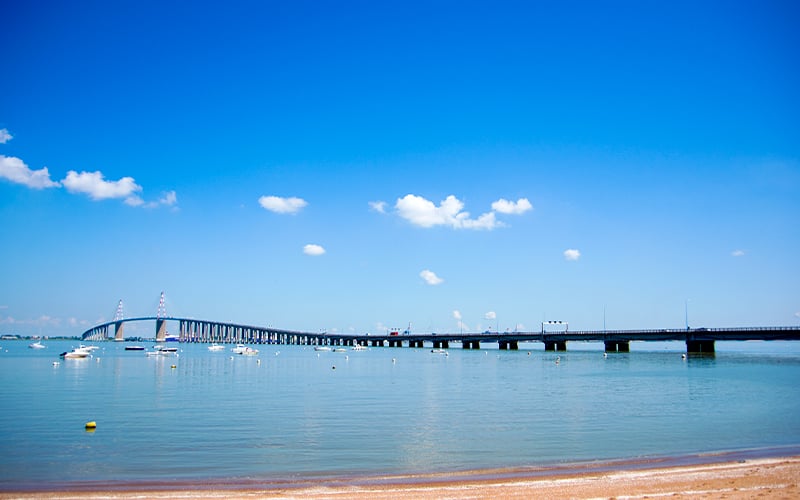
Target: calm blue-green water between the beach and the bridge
<point>380,411</point>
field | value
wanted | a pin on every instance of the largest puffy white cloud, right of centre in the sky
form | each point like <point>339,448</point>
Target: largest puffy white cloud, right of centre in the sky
<point>425,213</point>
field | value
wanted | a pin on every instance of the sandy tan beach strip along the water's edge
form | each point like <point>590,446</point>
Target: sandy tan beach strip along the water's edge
<point>753,478</point>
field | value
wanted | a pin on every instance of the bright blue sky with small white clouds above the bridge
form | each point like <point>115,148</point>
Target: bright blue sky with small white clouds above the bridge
<point>361,166</point>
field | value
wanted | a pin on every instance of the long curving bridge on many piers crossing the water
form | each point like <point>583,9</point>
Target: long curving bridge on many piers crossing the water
<point>698,340</point>
